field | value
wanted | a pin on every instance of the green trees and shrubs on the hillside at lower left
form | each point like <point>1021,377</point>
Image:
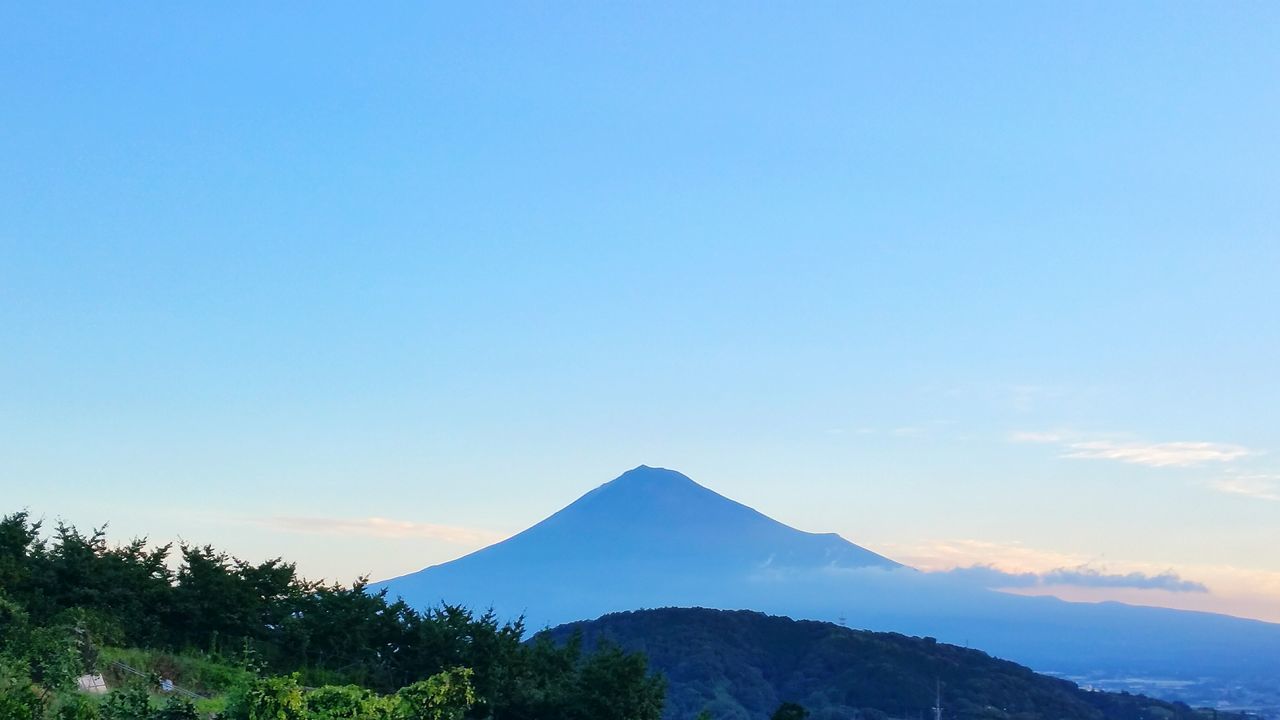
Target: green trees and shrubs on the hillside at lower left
<point>266,644</point>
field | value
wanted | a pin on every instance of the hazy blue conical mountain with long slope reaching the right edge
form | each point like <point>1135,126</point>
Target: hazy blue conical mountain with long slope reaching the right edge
<point>656,539</point>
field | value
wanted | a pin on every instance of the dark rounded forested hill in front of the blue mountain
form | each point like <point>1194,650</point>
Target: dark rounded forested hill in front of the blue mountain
<point>740,666</point>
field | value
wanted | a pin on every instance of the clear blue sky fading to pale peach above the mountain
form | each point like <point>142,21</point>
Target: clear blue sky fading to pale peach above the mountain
<point>988,282</point>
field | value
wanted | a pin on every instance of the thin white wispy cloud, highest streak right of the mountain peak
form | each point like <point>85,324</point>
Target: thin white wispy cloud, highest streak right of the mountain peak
<point>1183,454</point>
